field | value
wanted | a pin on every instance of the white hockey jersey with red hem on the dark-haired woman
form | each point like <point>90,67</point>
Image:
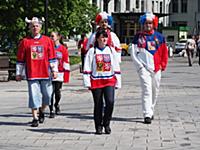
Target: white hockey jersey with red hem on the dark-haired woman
<point>101,68</point>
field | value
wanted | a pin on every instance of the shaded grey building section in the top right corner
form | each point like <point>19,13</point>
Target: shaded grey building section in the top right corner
<point>185,14</point>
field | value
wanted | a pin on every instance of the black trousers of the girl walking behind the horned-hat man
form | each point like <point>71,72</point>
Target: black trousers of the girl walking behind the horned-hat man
<point>57,86</point>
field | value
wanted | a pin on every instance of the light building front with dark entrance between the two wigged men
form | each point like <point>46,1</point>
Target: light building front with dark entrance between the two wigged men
<point>126,14</point>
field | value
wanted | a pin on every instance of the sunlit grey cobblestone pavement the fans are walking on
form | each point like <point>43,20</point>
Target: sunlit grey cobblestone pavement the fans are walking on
<point>176,125</point>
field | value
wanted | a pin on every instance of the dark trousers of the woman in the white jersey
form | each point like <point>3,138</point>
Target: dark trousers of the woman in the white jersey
<point>102,118</point>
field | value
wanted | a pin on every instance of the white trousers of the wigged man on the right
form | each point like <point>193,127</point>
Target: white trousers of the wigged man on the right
<point>150,83</point>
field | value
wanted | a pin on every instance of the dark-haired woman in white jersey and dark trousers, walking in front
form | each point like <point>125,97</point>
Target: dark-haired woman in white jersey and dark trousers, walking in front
<point>102,75</point>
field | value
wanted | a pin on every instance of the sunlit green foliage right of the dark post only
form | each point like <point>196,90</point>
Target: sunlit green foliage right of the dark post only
<point>71,17</point>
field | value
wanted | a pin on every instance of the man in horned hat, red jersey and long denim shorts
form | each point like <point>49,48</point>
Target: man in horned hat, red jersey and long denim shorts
<point>36,54</point>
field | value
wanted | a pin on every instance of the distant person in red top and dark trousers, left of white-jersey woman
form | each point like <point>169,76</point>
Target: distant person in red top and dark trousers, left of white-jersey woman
<point>82,44</point>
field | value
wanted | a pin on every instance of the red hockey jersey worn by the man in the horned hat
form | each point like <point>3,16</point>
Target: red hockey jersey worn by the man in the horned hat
<point>38,56</point>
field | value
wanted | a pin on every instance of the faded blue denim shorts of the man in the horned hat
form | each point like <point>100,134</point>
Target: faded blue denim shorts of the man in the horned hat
<point>40,92</point>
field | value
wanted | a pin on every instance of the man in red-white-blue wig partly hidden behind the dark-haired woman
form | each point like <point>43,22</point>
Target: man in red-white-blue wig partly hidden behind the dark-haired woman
<point>104,21</point>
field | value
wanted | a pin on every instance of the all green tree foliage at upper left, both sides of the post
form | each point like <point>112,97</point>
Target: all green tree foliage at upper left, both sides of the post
<point>69,17</point>
